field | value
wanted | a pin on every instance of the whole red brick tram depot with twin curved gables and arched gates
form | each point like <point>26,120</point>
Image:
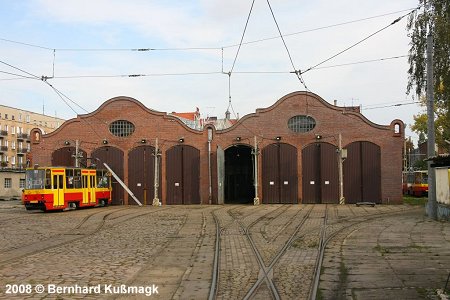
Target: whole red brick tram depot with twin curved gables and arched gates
<point>295,142</point>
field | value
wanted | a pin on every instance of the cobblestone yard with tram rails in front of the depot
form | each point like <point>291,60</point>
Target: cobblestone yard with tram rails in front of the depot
<point>168,252</point>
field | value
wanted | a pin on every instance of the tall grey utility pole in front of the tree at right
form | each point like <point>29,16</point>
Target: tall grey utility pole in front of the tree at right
<point>432,205</point>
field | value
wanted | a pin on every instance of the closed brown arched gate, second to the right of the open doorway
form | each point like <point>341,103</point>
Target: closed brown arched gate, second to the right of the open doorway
<point>320,174</point>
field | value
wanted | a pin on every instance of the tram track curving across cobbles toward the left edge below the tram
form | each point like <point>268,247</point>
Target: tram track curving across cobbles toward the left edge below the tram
<point>78,232</point>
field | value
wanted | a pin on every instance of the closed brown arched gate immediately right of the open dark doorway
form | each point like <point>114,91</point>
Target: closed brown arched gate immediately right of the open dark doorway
<point>279,174</point>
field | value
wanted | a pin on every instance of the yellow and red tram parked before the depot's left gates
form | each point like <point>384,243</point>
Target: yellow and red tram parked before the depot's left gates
<point>58,188</point>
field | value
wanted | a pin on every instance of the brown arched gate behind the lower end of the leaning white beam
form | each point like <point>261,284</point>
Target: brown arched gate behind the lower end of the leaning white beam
<point>141,174</point>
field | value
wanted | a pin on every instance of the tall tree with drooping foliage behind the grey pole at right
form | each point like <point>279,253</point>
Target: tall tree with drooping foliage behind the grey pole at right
<point>432,17</point>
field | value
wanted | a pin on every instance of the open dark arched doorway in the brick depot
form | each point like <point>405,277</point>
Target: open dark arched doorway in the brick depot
<point>239,188</point>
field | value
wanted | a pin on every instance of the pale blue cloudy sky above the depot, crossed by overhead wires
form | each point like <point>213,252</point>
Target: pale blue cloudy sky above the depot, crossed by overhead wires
<point>89,48</point>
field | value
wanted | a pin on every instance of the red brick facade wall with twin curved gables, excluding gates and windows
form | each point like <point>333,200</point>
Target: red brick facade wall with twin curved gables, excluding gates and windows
<point>266,124</point>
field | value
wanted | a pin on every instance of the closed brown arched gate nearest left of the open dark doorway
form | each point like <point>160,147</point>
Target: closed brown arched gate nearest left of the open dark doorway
<point>183,175</point>
